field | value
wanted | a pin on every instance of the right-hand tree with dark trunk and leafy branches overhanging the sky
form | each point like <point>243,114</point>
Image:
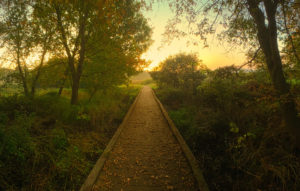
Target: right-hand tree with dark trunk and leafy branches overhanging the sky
<point>252,24</point>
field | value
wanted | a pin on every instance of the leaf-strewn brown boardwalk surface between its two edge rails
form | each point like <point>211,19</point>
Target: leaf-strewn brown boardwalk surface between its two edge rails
<point>146,156</point>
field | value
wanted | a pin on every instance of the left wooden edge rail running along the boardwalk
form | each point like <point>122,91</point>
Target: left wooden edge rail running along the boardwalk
<point>95,172</point>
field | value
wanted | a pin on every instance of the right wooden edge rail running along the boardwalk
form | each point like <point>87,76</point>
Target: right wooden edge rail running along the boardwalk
<point>202,185</point>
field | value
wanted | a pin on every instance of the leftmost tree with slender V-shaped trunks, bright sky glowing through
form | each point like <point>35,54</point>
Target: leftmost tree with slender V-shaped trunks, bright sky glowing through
<point>27,31</point>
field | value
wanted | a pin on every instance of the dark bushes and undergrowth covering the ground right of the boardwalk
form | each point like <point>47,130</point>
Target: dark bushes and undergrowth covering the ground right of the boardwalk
<point>233,125</point>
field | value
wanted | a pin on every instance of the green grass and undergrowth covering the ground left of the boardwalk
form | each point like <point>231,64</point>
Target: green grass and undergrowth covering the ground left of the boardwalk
<point>48,144</point>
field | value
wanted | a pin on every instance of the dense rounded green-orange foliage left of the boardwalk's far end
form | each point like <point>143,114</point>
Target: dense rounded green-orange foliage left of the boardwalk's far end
<point>117,55</point>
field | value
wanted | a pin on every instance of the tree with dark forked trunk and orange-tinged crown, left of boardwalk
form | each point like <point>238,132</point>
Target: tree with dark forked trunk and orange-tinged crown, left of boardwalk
<point>84,25</point>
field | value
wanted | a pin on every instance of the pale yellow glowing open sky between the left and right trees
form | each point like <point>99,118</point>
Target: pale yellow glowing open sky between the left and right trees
<point>215,56</point>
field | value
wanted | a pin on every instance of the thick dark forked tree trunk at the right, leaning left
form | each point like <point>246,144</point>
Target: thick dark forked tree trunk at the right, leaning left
<point>267,37</point>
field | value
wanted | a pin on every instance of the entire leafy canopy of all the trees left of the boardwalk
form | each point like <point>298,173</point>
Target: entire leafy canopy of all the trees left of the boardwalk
<point>94,36</point>
